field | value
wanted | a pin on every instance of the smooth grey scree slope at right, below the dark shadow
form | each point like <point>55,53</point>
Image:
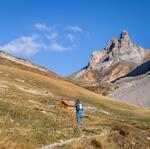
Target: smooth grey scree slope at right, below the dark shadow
<point>134,90</point>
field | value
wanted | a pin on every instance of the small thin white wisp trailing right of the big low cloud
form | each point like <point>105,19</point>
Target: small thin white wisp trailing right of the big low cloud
<point>57,47</point>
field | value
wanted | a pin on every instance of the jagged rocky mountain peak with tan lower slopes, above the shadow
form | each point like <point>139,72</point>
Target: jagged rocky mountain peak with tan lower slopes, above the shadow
<point>117,59</point>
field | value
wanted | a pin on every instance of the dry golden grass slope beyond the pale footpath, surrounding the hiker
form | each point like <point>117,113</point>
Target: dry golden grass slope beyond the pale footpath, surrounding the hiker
<point>28,120</point>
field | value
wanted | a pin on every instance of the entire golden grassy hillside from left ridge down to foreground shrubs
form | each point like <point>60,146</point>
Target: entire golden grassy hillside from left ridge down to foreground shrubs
<point>29,117</point>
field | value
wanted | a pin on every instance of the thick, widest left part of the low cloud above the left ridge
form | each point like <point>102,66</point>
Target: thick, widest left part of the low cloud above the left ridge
<point>25,45</point>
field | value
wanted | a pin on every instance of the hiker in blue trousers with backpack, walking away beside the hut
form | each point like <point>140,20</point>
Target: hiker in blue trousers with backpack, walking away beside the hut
<point>79,111</point>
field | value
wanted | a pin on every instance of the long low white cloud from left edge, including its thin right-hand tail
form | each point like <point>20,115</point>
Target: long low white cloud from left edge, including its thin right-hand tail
<point>30,45</point>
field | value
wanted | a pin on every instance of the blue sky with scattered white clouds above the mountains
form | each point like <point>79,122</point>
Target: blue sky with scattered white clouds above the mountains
<point>61,34</point>
